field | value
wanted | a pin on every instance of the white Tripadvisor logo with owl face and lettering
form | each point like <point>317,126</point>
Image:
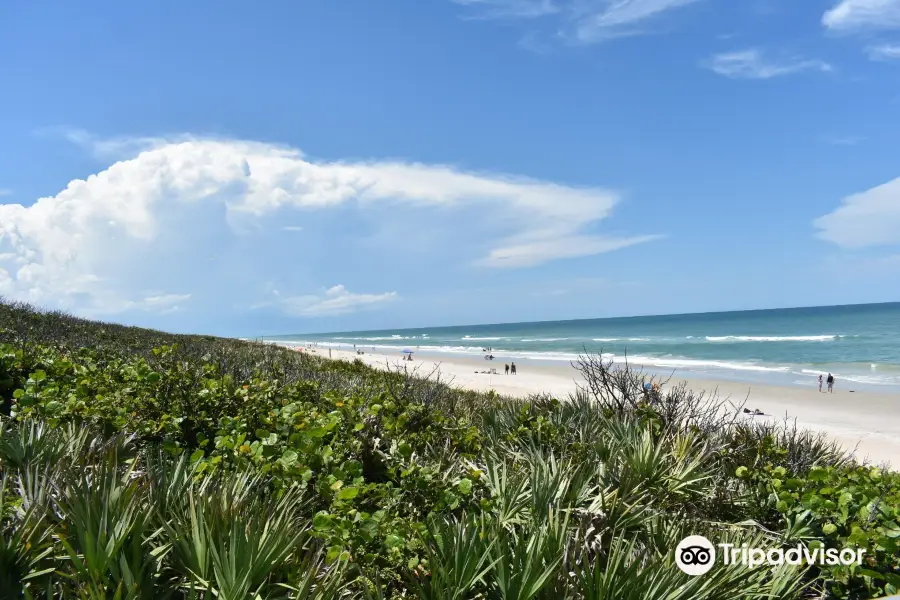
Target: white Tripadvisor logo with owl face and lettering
<point>696,555</point>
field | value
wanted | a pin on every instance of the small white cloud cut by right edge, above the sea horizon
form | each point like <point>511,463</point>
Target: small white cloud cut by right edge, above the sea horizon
<point>869,218</point>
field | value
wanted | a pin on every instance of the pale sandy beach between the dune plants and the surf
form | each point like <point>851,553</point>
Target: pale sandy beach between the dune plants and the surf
<point>868,422</point>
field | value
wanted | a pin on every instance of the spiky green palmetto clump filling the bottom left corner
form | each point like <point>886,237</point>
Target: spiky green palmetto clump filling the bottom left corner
<point>148,528</point>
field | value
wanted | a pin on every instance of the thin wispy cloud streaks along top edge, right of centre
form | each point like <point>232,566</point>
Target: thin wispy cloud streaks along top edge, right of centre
<point>581,21</point>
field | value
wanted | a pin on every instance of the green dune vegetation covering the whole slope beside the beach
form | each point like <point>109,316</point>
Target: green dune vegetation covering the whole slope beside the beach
<point>139,464</point>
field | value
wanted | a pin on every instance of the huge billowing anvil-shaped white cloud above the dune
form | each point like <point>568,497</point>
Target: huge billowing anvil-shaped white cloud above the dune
<point>146,222</point>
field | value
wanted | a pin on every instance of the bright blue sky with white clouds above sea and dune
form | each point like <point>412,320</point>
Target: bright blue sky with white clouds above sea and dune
<point>286,167</point>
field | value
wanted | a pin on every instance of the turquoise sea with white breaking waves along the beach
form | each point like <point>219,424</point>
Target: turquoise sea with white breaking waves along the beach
<point>859,344</point>
